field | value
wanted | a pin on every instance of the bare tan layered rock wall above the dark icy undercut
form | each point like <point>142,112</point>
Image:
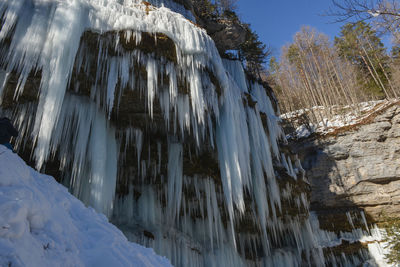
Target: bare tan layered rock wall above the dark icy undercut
<point>357,169</point>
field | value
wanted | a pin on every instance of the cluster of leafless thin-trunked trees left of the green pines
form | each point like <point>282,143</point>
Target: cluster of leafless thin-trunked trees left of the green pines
<point>311,74</point>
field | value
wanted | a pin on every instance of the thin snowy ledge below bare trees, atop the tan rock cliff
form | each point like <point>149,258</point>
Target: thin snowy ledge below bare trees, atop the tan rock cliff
<point>328,125</point>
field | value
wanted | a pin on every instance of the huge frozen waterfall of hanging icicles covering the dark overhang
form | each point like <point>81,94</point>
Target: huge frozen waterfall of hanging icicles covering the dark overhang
<point>105,96</point>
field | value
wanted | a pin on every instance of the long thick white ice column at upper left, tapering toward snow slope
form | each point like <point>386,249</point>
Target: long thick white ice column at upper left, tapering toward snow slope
<point>57,61</point>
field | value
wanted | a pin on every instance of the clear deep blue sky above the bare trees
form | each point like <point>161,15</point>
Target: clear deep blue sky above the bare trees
<point>276,21</point>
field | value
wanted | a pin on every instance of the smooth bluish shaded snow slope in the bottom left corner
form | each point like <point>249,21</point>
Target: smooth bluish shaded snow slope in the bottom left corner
<point>41,224</point>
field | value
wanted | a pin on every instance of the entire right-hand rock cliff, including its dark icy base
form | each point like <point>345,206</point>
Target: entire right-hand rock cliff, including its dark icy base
<point>354,174</point>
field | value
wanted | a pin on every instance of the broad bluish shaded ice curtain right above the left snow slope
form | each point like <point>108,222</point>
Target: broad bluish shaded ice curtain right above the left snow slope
<point>93,154</point>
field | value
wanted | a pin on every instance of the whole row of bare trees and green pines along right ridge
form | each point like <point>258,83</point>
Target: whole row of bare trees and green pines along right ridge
<point>325,78</point>
